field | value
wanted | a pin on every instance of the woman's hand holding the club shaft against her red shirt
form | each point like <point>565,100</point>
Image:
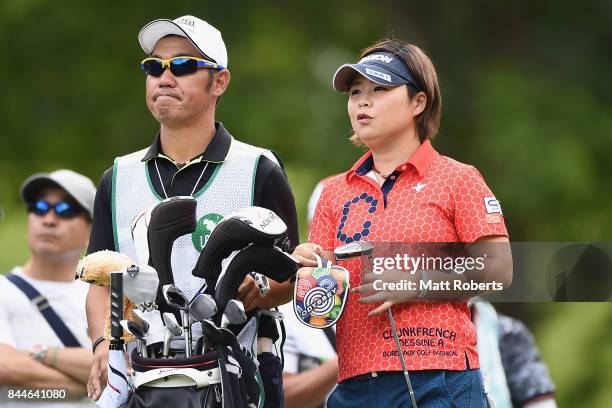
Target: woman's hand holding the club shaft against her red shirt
<point>386,289</point>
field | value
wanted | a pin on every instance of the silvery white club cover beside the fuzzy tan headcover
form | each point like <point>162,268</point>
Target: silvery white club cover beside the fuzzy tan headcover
<point>140,283</point>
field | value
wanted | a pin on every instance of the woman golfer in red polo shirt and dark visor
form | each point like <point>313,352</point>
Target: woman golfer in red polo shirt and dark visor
<point>403,190</point>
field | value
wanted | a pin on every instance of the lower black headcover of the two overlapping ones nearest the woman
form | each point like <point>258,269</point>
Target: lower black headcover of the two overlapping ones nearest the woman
<point>267,260</point>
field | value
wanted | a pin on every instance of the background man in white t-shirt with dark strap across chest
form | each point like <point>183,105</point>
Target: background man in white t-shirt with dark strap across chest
<point>44,342</point>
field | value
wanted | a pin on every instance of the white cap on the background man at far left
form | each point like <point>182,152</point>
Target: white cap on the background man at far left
<point>79,187</point>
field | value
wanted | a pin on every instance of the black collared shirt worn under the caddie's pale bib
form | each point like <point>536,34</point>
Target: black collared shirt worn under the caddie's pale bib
<point>272,188</point>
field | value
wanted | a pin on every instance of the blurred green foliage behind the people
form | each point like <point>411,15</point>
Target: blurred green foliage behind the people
<point>526,99</point>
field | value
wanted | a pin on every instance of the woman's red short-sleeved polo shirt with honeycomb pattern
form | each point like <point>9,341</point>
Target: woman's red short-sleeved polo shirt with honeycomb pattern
<point>430,198</point>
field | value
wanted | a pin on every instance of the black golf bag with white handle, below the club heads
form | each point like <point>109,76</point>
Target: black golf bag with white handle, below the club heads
<point>225,376</point>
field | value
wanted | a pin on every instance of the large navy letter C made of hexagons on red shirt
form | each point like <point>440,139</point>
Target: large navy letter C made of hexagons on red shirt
<point>354,229</point>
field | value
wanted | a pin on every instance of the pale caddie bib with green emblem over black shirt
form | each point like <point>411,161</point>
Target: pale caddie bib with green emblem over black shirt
<point>229,188</point>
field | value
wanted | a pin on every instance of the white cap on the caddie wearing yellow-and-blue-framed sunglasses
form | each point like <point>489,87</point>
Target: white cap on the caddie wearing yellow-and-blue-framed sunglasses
<point>206,38</point>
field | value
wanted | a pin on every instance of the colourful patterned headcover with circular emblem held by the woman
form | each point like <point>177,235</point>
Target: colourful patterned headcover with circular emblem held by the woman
<point>320,294</point>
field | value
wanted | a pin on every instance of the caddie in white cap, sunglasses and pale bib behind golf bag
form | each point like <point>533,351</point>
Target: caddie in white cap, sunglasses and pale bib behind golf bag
<point>192,155</point>
